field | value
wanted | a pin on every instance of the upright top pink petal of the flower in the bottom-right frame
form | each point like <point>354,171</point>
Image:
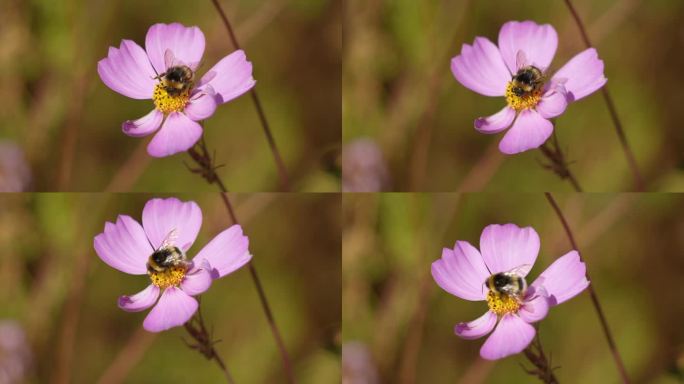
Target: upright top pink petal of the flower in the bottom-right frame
<point>508,247</point>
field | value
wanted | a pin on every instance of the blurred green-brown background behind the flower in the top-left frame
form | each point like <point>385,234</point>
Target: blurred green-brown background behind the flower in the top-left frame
<point>68,122</point>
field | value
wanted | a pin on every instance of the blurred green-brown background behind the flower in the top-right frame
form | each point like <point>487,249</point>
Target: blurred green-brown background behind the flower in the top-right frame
<point>399,91</point>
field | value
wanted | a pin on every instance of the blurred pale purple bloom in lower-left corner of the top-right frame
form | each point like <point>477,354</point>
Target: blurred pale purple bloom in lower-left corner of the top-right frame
<point>363,167</point>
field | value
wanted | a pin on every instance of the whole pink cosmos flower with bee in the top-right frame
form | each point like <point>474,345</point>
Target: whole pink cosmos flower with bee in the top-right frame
<point>518,69</point>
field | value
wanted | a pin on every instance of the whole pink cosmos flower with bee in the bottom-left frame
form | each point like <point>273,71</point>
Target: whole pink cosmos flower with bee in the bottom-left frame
<point>169,226</point>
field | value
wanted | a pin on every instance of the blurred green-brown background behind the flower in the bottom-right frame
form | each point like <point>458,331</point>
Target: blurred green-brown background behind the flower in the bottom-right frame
<point>392,307</point>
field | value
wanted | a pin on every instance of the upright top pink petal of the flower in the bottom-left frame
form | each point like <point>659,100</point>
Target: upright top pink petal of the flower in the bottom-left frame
<point>162,216</point>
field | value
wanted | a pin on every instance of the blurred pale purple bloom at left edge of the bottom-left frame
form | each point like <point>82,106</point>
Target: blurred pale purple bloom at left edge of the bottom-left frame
<point>15,353</point>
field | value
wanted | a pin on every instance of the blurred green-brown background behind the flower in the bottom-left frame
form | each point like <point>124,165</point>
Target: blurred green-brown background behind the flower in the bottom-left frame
<point>64,296</point>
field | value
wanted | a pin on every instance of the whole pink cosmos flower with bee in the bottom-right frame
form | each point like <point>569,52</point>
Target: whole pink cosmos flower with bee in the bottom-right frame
<point>510,251</point>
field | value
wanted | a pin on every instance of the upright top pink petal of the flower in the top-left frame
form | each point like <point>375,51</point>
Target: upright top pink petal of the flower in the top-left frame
<point>186,44</point>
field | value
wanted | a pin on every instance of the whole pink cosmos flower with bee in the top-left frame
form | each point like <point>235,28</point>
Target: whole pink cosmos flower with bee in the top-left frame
<point>165,73</point>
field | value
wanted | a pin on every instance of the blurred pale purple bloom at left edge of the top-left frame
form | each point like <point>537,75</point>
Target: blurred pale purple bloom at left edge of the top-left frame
<point>15,174</point>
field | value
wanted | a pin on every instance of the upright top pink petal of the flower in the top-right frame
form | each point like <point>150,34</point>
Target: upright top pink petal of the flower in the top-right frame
<point>537,42</point>
